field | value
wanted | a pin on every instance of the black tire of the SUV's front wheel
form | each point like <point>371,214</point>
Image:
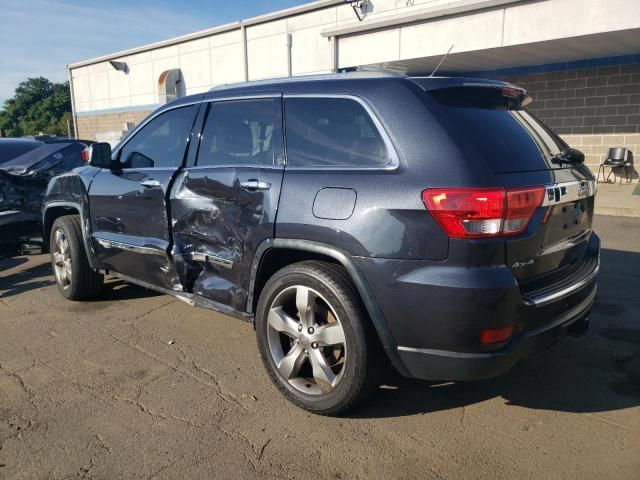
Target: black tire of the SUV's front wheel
<point>84,282</point>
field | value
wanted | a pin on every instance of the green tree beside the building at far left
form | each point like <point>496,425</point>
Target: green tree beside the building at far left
<point>38,106</point>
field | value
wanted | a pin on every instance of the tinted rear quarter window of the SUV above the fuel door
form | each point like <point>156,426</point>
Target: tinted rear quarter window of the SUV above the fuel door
<point>331,132</point>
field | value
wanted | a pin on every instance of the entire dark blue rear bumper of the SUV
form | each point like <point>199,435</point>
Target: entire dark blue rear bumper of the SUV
<point>436,313</point>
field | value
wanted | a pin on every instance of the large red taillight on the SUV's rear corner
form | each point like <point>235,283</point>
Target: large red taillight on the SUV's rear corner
<point>482,212</point>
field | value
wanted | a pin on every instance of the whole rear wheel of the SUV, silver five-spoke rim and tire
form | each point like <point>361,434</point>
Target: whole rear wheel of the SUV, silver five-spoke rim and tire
<point>315,339</point>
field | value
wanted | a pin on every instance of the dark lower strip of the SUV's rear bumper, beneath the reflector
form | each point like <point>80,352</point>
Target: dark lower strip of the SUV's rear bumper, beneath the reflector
<point>432,364</point>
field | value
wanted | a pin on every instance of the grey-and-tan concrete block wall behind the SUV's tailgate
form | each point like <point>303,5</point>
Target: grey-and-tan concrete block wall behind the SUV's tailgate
<point>593,109</point>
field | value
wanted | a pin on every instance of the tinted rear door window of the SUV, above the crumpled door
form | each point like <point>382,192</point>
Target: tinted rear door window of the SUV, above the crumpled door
<point>242,132</point>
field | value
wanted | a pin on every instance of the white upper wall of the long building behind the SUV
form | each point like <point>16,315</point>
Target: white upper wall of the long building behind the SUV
<point>219,58</point>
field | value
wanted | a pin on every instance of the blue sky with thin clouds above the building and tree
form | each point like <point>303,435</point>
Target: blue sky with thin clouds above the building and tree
<point>39,38</point>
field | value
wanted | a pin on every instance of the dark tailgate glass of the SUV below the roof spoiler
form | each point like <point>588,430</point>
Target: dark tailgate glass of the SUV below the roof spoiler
<point>504,134</point>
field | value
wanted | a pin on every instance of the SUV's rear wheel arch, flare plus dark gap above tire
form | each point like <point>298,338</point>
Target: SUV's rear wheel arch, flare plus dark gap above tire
<point>273,254</point>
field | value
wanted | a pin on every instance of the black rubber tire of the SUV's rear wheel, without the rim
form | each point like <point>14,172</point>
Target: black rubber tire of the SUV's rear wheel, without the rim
<point>360,370</point>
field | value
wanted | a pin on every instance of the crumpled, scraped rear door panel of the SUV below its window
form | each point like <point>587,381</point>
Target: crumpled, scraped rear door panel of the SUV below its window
<point>217,226</point>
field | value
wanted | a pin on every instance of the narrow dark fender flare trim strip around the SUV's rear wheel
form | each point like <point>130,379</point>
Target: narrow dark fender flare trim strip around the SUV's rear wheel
<point>343,258</point>
